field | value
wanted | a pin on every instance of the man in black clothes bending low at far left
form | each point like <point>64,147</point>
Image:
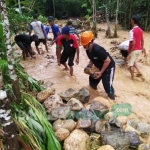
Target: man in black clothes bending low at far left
<point>24,42</point>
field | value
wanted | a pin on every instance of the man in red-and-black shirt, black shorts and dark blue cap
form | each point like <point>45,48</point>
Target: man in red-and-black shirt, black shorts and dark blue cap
<point>70,47</point>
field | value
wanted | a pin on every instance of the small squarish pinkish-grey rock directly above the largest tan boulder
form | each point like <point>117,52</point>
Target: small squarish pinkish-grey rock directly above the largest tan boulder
<point>83,123</point>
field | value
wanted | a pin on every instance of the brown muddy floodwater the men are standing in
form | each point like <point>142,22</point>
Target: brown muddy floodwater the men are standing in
<point>127,91</point>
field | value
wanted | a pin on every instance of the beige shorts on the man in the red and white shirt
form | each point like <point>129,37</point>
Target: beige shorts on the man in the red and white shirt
<point>134,55</point>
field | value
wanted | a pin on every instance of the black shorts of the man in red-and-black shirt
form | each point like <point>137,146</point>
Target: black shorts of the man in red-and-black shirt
<point>65,56</point>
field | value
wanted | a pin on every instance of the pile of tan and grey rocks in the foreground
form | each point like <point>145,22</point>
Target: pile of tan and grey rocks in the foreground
<point>84,125</point>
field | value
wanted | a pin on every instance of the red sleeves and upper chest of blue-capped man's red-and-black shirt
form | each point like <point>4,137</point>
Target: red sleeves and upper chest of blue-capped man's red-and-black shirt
<point>61,41</point>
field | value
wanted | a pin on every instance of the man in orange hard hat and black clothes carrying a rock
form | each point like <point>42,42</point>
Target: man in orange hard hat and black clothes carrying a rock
<point>102,60</point>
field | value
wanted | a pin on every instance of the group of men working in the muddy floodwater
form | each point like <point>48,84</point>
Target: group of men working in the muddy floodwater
<point>67,46</point>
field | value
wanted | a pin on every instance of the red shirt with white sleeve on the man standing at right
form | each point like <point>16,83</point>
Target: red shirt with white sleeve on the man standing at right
<point>136,35</point>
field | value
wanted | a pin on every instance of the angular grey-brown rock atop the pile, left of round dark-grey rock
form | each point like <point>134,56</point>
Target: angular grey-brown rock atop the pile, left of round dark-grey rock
<point>68,94</point>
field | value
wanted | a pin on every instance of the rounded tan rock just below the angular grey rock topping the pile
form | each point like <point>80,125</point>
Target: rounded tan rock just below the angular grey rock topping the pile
<point>75,104</point>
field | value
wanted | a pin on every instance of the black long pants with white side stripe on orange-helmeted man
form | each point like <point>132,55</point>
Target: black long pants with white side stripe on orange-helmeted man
<point>107,80</point>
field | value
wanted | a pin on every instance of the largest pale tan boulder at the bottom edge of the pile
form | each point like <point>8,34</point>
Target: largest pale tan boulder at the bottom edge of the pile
<point>76,140</point>
